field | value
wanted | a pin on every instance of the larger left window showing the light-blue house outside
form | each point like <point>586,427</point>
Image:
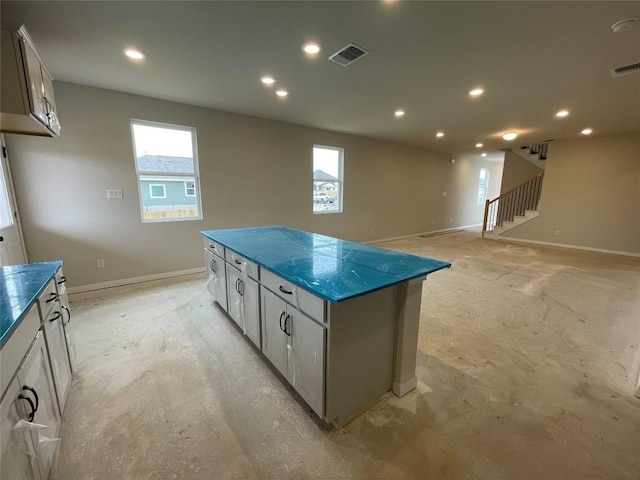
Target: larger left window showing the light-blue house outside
<point>166,159</point>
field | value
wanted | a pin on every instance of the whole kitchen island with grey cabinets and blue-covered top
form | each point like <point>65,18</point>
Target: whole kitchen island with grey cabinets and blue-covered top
<point>338,319</point>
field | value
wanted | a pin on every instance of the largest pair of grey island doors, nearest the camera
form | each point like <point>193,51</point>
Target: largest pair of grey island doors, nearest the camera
<point>295,344</point>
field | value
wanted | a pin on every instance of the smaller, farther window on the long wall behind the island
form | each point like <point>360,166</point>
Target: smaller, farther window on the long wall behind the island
<point>327,179</point>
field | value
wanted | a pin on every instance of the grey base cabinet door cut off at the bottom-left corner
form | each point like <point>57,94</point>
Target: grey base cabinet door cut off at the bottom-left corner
<point>17,458</point>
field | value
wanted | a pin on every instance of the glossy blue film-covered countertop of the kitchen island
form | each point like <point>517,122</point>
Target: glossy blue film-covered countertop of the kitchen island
<point>330,268</point>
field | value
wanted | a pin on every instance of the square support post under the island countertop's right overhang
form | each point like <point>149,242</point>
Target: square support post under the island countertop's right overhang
<point>409,299</point>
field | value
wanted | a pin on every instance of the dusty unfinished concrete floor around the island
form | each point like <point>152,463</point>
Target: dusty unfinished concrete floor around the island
<point>528,359</point>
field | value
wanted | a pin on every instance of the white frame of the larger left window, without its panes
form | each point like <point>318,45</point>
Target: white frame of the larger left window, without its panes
<point>174,176</point>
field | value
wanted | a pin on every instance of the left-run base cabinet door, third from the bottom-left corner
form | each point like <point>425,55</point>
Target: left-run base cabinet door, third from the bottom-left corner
<point>58,356</point>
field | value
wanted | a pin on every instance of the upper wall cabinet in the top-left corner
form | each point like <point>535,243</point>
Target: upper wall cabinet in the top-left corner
<point>27,102</point>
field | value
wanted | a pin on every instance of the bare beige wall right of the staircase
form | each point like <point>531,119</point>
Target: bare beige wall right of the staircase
<point>590,195</point>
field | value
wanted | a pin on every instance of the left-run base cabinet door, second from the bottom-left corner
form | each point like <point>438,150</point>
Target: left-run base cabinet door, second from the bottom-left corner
<point>35,374</point>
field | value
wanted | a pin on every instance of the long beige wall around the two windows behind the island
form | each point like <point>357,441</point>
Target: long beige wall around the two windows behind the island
<point>252,172</point>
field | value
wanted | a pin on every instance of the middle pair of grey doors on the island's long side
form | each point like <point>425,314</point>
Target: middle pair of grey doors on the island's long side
<point>244,303</point>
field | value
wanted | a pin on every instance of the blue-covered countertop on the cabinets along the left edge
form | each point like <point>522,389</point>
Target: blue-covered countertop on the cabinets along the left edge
<point>20,286</point>
